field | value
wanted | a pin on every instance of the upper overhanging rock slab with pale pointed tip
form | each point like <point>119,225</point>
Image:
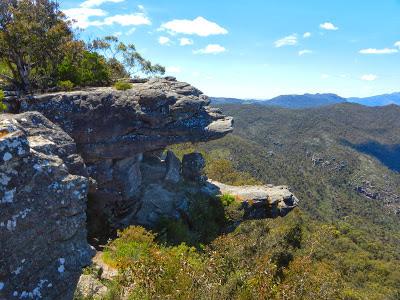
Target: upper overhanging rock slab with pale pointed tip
<point>110,124</point>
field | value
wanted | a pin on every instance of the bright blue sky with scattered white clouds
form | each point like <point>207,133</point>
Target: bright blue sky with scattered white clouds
<point>258,49</point>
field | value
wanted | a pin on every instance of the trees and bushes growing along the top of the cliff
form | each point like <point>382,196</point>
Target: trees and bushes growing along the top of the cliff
<point>39,50</point>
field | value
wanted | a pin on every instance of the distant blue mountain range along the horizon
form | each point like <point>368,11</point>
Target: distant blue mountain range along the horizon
<point>312,100</point>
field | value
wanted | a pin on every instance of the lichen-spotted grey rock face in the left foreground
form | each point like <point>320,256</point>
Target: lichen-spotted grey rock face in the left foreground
<point>43,189</point>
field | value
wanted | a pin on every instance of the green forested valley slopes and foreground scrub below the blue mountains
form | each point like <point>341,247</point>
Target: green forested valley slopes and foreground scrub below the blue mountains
<point>343,242</point>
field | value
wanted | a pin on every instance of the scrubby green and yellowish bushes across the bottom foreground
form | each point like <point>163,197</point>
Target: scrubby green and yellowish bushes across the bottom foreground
<point>290,258</point>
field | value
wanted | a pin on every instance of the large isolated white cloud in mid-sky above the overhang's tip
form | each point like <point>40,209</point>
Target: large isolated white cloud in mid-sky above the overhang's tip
<point>199,26</point>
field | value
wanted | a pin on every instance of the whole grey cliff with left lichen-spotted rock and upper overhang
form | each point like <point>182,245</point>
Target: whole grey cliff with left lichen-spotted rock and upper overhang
<point>99,155</point>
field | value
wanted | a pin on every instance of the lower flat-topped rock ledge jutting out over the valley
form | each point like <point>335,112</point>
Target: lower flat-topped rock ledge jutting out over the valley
<point>258,202</point>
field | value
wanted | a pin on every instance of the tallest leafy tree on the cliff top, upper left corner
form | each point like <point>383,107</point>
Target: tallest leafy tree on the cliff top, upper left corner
<point>33,39</point>
